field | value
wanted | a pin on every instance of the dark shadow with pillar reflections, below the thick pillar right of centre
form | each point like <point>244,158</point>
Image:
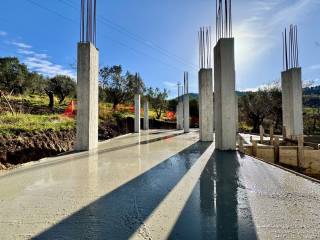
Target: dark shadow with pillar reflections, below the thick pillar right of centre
<point>218,207</point>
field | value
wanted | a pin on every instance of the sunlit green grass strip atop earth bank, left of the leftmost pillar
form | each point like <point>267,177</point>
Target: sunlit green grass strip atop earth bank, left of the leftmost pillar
<point>15,124</point>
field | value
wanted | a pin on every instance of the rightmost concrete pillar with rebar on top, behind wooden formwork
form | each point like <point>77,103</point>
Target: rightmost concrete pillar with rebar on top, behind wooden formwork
<point>292,109</point>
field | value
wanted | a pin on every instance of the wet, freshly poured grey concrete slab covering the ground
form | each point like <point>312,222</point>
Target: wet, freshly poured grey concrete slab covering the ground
<point>157,185</point>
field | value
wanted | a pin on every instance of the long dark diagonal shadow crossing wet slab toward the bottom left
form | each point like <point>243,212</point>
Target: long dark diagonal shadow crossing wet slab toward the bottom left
<point>120,213</point>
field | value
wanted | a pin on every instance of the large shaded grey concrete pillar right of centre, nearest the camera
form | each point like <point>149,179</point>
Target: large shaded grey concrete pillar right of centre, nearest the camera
<point>225,99</point>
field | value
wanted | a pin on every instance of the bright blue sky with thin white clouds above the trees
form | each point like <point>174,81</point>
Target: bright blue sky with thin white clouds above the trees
<point>159,38</point>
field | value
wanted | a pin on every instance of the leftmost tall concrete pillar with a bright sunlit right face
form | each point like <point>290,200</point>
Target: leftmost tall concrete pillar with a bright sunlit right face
<point>87,95</point>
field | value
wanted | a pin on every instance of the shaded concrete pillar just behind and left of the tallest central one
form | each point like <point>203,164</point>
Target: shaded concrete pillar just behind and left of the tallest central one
<point>206,105</point>
